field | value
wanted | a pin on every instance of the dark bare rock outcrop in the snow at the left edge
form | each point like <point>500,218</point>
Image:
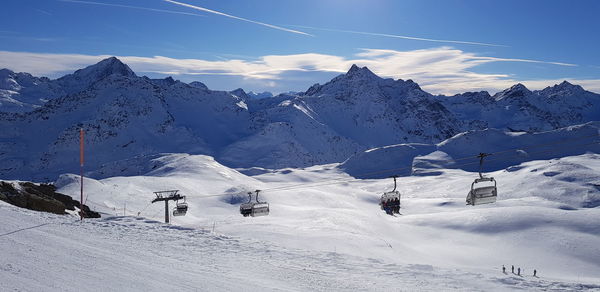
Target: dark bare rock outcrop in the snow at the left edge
<point>42,197</point>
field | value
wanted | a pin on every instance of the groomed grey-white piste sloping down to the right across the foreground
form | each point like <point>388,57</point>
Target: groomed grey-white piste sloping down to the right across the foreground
<point>135,253</point>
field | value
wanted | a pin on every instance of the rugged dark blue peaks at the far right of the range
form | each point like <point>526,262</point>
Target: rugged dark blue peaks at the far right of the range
<point>519,109</point>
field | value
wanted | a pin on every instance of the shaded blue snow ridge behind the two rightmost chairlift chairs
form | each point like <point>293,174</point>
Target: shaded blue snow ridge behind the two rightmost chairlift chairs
<point>507,148</point>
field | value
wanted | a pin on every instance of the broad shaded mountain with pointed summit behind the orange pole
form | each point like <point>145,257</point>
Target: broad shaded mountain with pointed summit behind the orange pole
<point>123,116</point>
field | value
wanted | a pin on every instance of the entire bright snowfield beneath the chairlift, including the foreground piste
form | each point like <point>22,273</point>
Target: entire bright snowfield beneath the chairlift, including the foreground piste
<point>325,232</point>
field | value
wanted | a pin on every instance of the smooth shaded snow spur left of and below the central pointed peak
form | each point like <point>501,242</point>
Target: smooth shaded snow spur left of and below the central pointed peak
<point>291,135</point>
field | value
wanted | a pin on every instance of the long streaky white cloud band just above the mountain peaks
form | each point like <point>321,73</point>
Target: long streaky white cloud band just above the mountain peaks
<point>437,70</point>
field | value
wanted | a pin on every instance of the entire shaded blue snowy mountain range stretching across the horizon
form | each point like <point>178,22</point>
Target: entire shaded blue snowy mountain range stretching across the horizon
<point>127,117</point>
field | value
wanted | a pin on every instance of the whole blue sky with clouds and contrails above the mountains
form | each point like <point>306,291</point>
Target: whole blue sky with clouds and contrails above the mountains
<point>446,46</point>
